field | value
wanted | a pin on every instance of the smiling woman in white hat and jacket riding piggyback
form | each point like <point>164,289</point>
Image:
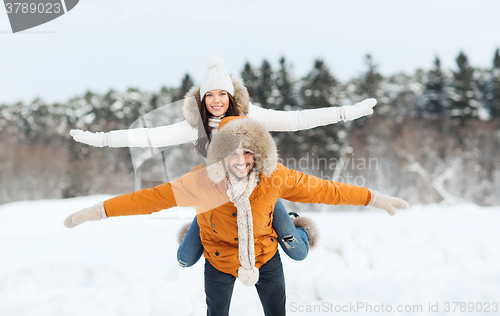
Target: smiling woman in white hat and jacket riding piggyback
<point>221,95</point>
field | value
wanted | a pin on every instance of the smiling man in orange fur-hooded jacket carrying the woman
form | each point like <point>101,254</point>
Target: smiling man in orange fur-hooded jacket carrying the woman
<point>235,195</point>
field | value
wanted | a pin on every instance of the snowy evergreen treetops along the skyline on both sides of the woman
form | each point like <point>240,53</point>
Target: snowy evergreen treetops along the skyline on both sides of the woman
<point>462,93</point>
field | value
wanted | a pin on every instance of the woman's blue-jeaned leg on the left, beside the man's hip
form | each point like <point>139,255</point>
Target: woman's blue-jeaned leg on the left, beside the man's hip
<point>191,249</point>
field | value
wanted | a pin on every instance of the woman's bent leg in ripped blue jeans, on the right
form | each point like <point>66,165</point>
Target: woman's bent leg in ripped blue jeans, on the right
<point>293,240</point>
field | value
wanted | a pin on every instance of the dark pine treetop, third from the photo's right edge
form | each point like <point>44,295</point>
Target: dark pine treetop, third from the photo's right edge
<point>434,94</point>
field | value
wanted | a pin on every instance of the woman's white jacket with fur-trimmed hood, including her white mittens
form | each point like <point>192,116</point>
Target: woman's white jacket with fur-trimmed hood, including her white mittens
<point>187,131</point>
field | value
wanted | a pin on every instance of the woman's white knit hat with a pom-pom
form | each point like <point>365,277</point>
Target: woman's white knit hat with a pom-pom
<point>217,78</point>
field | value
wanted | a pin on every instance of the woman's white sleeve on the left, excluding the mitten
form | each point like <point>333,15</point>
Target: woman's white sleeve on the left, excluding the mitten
<point>169,135</point>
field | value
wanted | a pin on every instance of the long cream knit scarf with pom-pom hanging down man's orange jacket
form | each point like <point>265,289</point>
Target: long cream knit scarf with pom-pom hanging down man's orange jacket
<point>239,192</point>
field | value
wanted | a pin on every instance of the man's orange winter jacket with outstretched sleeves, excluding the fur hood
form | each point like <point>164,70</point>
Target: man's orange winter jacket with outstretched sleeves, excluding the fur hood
<point>217,215</point>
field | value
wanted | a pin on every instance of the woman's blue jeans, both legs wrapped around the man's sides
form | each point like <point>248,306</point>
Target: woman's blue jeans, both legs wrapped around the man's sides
<point>293,240</point>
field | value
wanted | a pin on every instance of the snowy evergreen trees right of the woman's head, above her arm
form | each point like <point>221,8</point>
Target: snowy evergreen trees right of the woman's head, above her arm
<point>465,92</point>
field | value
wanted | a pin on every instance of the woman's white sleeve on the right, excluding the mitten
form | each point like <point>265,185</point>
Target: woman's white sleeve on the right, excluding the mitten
<point>290,121</point>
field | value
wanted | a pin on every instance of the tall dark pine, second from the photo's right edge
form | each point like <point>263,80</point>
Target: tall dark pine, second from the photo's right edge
<point>462,100</point>
